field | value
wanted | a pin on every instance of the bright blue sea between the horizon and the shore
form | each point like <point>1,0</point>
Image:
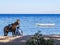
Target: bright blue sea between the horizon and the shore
<point>28,23</point>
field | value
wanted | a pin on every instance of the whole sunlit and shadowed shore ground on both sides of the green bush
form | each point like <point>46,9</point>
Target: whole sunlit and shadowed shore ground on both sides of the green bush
<point>21,40</point>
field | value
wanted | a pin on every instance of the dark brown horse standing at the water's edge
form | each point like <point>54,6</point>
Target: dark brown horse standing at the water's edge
<point>11,28</point>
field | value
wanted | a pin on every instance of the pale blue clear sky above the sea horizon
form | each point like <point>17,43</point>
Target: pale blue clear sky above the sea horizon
<point>29,6</point>
